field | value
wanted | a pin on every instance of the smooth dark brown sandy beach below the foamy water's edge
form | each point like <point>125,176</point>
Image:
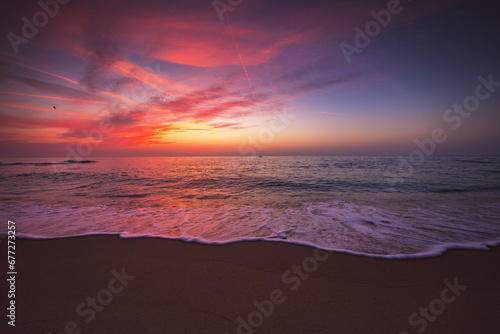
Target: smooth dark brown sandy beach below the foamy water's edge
<point>104,284</point>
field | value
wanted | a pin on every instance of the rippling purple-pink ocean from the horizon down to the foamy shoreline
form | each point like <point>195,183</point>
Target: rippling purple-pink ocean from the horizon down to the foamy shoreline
<point>344,204</point>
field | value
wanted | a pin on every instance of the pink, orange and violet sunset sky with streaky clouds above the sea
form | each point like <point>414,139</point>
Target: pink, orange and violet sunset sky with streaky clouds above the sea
<point>83,79</point>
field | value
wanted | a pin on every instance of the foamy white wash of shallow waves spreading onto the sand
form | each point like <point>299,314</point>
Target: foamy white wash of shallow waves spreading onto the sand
<point>334,225</point>
